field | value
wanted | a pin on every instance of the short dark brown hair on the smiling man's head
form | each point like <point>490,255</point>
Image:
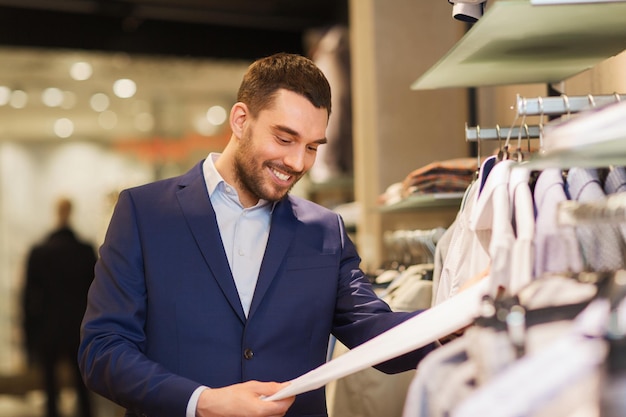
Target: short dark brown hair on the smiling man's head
<point>292,72</point>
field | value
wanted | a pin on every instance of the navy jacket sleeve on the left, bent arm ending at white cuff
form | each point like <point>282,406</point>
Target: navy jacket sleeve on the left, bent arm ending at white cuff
<point>112,351</point>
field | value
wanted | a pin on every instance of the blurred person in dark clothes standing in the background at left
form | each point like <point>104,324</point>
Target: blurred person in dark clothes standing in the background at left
<point>59,271</point>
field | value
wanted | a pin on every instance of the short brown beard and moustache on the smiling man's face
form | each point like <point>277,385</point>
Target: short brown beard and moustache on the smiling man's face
<point>252,177</point>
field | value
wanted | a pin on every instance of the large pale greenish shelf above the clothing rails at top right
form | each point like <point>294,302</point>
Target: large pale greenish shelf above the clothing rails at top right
<point>516,42</point>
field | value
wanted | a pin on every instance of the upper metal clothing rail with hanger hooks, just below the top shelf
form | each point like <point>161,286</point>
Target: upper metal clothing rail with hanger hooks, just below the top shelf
<point>563,104</point>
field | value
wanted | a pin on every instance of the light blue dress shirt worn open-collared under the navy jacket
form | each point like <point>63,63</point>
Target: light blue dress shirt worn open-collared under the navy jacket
<point>244,233</point>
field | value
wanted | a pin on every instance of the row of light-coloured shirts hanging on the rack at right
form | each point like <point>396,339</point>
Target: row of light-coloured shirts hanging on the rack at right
<point>553,302</point>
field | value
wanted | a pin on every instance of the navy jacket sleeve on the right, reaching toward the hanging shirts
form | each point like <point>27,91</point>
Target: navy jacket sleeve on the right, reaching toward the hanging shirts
<point>361,315</point>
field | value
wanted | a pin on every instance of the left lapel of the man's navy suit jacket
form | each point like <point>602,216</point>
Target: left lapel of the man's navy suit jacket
<point>197,209</point>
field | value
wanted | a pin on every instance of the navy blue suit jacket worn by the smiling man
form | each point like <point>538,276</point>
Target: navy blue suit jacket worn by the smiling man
<point>164,315</point>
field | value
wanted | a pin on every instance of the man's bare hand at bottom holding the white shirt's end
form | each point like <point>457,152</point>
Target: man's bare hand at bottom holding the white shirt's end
<point>243,400</point>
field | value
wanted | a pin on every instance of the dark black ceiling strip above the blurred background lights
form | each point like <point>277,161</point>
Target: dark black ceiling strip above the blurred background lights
<point>209,28</point>
